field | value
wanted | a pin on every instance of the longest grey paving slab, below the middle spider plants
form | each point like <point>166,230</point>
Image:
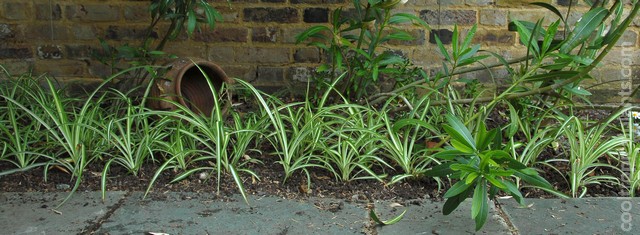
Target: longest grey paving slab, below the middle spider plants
<point>193,213</point>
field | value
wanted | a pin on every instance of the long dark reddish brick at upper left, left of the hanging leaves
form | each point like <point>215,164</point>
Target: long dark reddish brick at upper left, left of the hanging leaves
<point>93,12</point>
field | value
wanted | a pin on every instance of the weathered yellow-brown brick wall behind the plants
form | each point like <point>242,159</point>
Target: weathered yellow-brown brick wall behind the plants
<point>256,40</point>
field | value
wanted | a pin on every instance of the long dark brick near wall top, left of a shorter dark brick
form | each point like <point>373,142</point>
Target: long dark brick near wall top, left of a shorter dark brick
<point>276,15</point>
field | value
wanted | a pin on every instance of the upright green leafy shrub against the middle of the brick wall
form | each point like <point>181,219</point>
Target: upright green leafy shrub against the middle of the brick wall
<point>354,45</point>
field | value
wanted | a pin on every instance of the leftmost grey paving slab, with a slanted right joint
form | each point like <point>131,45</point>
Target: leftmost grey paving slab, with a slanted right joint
<point>35,212</point>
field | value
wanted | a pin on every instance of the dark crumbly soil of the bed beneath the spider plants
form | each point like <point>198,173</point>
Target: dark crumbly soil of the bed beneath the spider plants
<point>270,183</point>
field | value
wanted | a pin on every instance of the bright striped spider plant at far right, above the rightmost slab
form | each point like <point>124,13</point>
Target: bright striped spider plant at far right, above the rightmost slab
<point>587,147</point>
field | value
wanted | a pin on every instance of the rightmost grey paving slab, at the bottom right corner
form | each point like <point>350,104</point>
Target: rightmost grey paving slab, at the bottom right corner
<point>575,216</point>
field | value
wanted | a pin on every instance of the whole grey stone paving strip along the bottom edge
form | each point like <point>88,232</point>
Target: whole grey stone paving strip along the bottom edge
<point>204,213</point>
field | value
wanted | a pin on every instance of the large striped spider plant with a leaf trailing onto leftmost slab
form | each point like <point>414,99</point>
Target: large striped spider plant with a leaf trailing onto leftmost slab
<point>70,128</point>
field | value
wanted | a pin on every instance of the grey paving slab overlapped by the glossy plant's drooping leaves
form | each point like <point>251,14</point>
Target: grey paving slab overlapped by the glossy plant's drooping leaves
<point>425,217</point>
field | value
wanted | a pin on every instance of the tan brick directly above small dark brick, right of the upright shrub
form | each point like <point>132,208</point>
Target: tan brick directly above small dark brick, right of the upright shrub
<point>449,17</point>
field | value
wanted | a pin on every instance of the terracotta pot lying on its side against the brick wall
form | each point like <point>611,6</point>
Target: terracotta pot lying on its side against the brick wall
<point>184,83</point>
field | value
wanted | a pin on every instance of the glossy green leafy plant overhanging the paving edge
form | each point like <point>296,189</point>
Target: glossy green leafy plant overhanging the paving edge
<point>482,168</point>
